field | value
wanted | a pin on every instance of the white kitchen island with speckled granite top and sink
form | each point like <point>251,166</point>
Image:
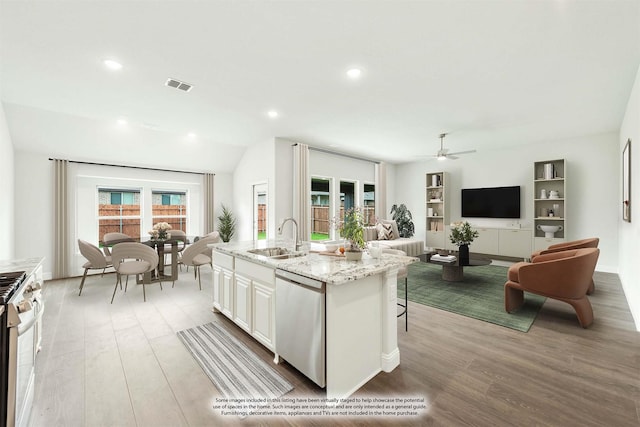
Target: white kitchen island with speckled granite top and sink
<point>359,306</point>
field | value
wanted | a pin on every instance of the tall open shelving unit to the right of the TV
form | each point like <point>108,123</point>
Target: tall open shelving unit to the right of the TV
<point>549,201</point>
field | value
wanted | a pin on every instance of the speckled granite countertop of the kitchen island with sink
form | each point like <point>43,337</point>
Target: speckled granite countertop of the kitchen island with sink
<point>326,268</point>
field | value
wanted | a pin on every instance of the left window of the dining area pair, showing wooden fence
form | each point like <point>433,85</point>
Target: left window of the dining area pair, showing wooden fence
<point>118,211</point>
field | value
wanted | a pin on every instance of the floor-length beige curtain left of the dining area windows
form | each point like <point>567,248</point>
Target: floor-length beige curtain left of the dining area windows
<point>61,248</point>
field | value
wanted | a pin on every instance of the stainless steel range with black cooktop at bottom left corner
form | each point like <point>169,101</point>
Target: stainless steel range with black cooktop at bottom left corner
<point>20,324</point>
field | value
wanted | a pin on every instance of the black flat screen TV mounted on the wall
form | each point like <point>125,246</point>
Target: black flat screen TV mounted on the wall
<point>494,202</point>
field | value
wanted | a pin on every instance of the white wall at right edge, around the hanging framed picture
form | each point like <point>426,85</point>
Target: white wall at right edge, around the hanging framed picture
<point>629,232</point>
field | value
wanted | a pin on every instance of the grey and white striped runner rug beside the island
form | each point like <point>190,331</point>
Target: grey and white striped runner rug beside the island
<point>232,367</point>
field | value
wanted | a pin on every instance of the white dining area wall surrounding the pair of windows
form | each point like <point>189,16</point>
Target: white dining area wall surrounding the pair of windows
<point>34,195</point>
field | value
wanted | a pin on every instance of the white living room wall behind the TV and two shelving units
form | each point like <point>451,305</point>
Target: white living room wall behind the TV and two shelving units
<point>593,172</point>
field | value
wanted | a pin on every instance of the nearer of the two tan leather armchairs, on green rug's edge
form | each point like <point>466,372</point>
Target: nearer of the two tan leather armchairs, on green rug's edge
<point>564,276</point>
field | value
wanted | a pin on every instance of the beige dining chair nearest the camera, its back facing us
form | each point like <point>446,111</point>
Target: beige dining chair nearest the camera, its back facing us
<point>133,258</point>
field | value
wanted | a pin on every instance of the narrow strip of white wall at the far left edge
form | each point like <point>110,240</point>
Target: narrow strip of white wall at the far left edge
<point>7,190</point>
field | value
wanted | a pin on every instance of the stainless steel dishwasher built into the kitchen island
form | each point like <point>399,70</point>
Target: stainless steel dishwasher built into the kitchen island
<point>300,324</point>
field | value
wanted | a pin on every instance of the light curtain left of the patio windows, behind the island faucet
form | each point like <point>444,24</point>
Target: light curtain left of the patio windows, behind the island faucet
<point>301,190</point>
